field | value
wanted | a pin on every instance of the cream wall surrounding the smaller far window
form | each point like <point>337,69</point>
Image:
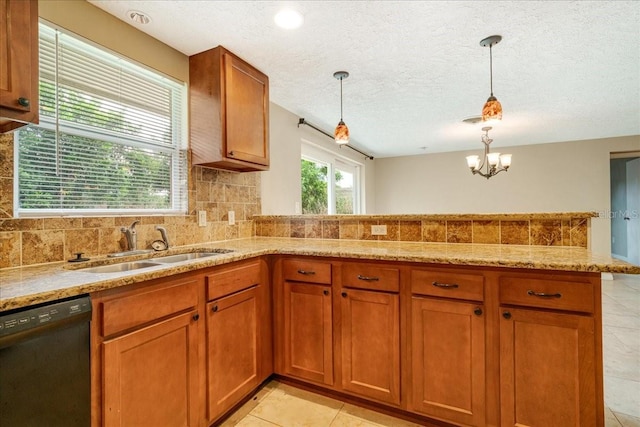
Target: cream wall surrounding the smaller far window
<point>280,188</point>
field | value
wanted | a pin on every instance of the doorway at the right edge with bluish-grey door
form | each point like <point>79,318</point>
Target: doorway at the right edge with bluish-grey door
<point>625,206</point>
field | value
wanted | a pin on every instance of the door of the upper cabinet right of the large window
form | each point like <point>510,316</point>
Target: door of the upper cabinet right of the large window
<point>246,110</point>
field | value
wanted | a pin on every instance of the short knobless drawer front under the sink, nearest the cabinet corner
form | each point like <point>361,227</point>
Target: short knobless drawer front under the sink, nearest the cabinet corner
<point>232,279</point>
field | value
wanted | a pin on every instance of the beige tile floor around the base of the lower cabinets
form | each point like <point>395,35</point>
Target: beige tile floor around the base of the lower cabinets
<point>279,405</point>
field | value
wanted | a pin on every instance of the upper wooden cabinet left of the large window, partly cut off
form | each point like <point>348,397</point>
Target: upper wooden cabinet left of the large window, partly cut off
<point>18,63</point>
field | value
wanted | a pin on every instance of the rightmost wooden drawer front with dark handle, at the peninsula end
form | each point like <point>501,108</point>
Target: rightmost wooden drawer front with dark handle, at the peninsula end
<point>547,293</point>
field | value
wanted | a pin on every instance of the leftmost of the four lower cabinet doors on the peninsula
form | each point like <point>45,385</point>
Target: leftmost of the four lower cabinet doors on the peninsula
<point>308,348</point>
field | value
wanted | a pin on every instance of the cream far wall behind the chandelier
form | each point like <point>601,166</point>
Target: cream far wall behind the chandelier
<point>560,177</point>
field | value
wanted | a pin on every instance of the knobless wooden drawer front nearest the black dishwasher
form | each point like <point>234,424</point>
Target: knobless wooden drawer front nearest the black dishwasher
<point>129,311</point>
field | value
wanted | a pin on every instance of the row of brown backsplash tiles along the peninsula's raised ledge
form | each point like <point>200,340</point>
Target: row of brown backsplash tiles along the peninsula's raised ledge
<point>542,229</point>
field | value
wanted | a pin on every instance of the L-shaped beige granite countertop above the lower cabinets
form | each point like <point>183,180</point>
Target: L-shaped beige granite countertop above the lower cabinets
<point>24,286</point>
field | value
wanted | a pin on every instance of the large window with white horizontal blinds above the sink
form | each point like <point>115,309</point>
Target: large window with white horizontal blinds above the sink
<point>111,138</point>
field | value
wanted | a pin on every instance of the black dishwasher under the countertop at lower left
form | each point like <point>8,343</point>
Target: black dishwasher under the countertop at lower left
<point>45,365</point>
